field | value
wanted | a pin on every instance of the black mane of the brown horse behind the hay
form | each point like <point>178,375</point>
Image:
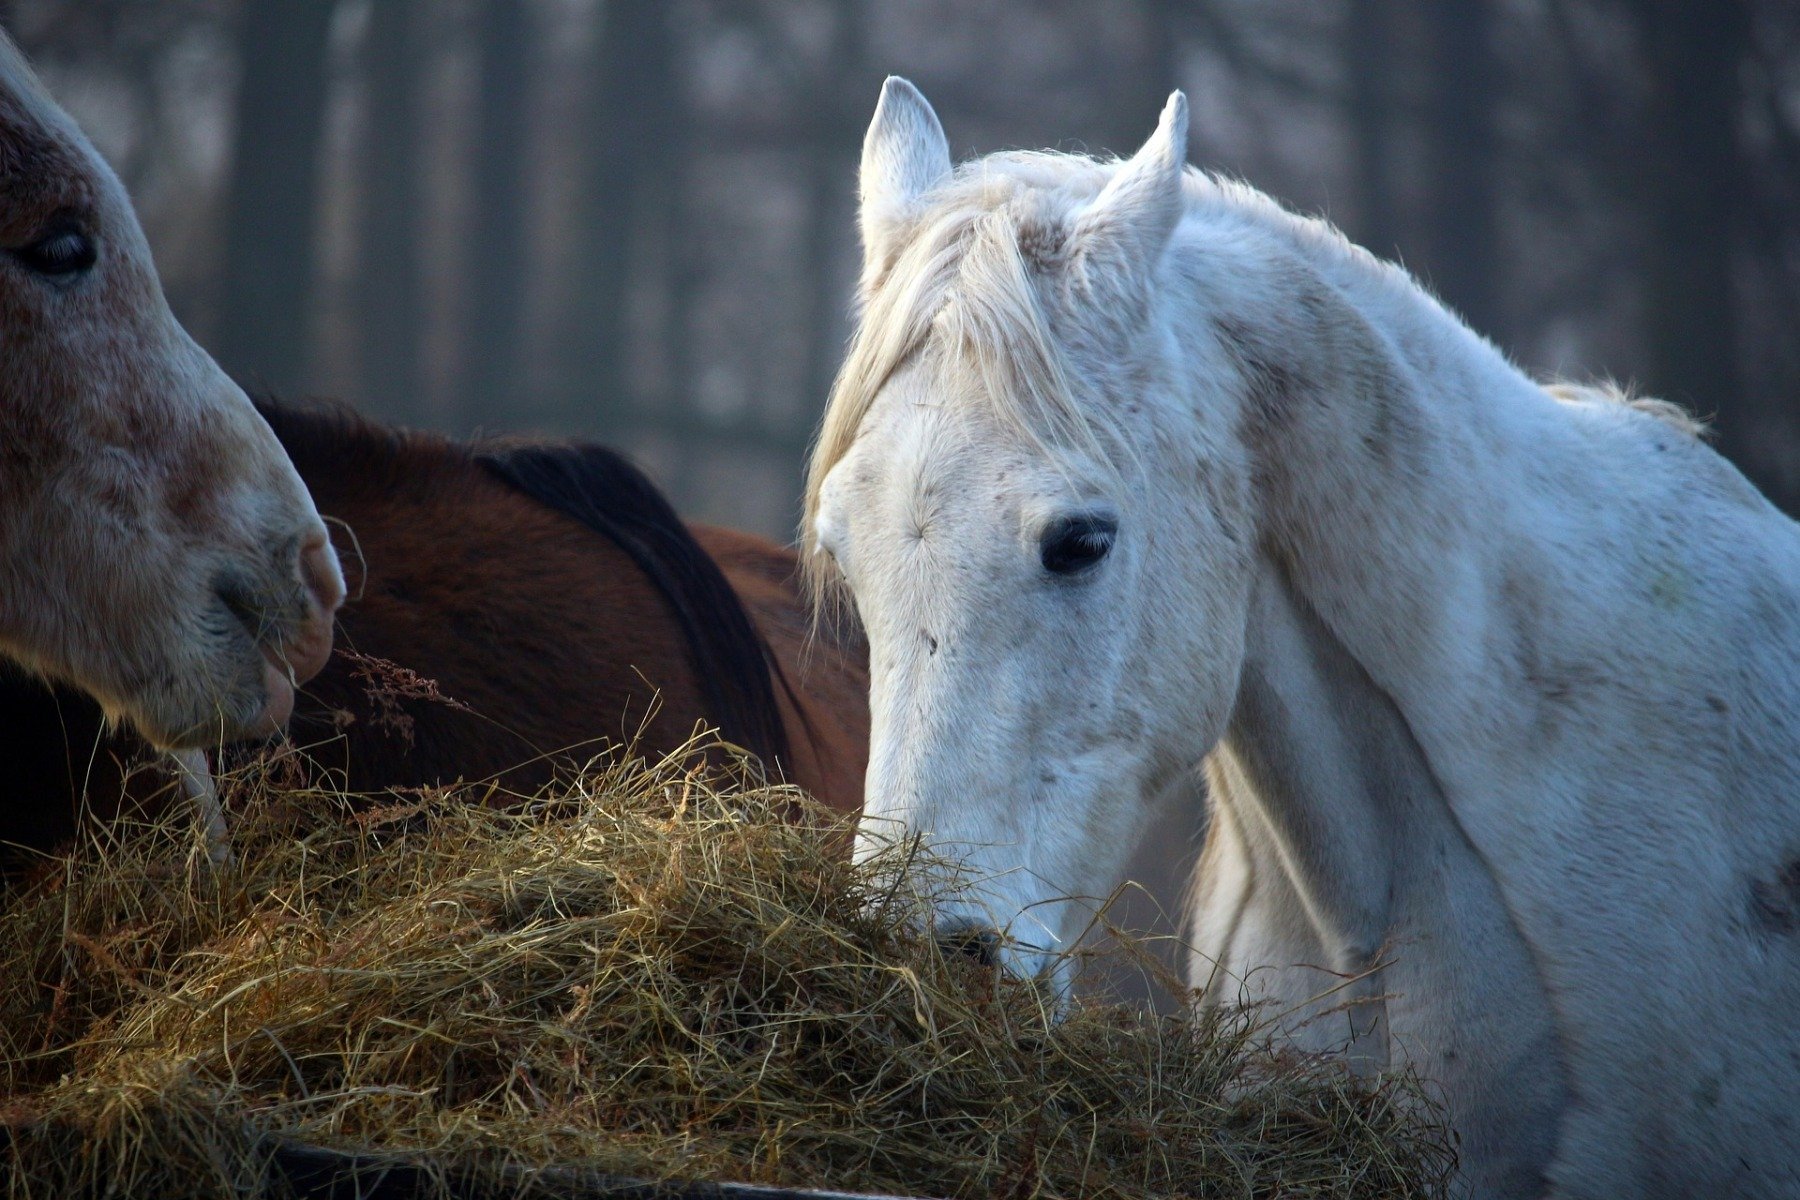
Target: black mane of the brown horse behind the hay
<point>604,492</point>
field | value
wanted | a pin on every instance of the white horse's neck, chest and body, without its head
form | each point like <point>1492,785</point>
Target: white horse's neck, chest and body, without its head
<point>1520,697</point>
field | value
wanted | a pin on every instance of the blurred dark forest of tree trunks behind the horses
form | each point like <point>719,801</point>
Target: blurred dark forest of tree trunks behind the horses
<point>634,219</point>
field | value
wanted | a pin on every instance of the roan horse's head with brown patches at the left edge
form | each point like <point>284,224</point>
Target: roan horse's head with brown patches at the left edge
<point>156,544</point>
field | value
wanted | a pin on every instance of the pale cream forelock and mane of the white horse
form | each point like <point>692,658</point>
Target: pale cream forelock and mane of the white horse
<point>969,278</point>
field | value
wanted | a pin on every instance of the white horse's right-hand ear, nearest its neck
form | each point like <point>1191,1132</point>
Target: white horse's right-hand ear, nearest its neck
<point>1131,220</point>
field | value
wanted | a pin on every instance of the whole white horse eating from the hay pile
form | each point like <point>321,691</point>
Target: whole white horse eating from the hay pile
<point>1497,688</point>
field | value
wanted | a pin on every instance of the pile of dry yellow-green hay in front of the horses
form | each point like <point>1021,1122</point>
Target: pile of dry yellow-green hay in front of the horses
<point>651,974</point>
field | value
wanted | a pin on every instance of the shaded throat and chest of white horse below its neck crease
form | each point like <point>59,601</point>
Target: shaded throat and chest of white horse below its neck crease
<point>1338,890</point>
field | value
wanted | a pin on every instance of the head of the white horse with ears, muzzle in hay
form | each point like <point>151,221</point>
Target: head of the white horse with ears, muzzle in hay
<point>987,485</point>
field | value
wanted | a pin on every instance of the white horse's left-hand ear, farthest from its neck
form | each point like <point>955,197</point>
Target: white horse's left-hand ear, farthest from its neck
<point>904,156</point>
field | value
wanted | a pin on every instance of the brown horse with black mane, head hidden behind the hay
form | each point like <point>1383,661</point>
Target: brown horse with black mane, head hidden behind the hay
<point>512,609</point>
